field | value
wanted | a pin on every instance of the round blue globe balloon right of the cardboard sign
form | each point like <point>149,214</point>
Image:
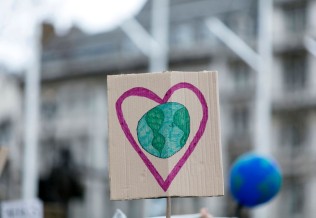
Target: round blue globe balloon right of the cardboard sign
<point>254,180</point>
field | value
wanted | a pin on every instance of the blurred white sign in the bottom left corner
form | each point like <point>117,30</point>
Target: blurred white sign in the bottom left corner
<point>22,209</point>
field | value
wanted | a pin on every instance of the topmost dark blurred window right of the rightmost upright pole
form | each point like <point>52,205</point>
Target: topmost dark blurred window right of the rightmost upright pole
<point>295,18</point>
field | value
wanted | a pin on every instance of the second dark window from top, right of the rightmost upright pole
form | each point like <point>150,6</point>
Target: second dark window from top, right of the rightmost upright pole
<point>294,72</point>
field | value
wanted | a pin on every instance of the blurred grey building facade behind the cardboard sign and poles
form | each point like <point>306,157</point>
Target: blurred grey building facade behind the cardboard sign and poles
<point>74,101</point>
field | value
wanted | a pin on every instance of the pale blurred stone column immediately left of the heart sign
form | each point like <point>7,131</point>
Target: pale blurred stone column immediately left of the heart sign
<point>98,205</point>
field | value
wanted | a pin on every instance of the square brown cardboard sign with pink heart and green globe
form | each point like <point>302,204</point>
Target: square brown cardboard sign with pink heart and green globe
<point>164,135</point>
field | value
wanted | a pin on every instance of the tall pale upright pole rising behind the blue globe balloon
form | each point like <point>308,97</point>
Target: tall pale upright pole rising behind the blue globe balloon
<point>263,95</point>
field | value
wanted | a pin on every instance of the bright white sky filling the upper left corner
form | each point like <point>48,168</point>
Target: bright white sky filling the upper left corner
<point>18,20</point>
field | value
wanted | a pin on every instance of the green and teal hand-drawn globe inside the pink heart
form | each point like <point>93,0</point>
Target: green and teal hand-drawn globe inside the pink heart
<point>164,129</point>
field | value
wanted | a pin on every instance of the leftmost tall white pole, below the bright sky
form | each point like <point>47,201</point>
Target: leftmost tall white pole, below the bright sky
<point>32,93</point>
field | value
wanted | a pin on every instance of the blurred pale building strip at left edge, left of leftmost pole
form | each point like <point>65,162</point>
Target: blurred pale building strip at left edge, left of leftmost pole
<point>10,135</point>
